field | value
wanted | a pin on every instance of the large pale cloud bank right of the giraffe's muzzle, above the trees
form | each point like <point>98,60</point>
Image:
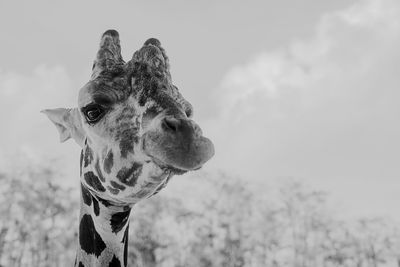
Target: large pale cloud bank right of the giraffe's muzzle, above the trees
<point>325,108</point>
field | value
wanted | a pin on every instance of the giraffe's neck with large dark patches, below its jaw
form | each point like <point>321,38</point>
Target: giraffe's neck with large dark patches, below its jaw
<point>103,232</point>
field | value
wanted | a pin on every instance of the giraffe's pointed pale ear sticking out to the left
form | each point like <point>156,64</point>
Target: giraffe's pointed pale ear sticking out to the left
<point>68,123</point>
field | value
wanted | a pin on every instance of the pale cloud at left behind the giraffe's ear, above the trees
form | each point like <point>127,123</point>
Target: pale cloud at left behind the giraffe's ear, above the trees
<point>26,134</point>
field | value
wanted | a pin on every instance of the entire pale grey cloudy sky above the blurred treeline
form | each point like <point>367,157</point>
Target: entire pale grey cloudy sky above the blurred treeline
<point>303,89</point>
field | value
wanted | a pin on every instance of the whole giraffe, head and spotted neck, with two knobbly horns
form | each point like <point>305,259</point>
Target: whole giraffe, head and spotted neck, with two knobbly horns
<point>136,131</point>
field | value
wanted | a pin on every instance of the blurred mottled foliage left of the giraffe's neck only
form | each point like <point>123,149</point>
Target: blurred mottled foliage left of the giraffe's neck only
<point>38,218</point>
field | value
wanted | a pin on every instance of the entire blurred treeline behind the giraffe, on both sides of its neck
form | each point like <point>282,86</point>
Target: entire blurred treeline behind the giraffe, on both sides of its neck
<point>205,220</point>
